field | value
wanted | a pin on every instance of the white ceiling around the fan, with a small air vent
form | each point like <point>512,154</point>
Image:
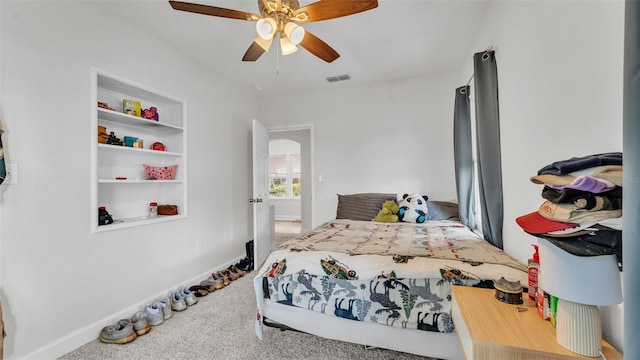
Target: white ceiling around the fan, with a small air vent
<point>397,40</point>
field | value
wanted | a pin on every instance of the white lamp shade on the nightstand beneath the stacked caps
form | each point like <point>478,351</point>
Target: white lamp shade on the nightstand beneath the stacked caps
<point>593,280</point>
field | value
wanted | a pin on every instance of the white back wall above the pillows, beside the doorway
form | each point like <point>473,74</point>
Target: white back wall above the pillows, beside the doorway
<point>392,137</point>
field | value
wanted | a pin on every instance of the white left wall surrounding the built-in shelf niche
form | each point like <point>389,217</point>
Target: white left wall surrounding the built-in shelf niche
<point>58,280</point>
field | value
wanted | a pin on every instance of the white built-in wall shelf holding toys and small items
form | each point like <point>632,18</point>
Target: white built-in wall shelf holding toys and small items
<point>118,176</point>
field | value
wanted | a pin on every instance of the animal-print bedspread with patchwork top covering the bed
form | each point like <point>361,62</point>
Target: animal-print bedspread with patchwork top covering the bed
<point>391,274</point>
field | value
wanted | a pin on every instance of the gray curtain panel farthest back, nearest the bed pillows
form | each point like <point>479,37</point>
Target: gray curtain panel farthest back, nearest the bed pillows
<point>463,156</point>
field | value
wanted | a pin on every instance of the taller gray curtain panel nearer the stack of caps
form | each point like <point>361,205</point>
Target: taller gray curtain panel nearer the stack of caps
<point>488,158</point>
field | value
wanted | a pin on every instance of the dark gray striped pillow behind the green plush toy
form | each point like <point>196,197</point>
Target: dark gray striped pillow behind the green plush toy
<point>362,207</point>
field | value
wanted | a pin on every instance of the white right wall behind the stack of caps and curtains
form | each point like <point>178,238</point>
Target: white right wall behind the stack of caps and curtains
<point>560,67</point>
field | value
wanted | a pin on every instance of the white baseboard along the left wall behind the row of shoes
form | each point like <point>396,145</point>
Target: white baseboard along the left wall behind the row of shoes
<point>90,332</point>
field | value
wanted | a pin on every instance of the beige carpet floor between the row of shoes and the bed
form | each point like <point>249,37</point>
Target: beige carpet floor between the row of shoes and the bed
<point>222,326</point>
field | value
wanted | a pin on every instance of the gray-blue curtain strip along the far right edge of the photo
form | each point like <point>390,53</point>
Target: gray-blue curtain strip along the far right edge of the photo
<point>631,194</point>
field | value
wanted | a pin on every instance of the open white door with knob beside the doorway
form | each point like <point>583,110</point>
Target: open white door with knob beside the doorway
<point>262,223</point>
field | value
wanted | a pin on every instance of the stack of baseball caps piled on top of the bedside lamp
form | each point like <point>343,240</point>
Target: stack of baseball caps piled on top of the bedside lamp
<point>582,207</point>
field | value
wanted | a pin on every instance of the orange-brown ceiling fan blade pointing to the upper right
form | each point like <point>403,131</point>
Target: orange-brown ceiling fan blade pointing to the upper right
<point>331,9</point>
